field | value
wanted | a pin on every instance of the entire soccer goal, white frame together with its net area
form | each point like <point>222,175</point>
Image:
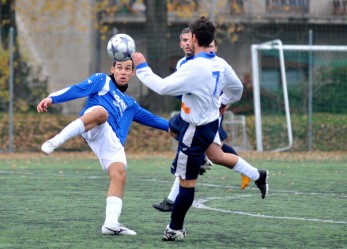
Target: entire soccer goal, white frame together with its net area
<point>294,85</point>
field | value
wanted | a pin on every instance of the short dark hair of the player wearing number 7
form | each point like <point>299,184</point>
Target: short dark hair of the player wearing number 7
<point>204,31</point>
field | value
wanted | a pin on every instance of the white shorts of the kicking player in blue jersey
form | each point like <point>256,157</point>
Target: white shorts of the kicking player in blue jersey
<point>105,144</point>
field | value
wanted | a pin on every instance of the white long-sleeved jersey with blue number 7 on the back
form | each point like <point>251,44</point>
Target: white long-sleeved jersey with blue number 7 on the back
<point>200,81</point>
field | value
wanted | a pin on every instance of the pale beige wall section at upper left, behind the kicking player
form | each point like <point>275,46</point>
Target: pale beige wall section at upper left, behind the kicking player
<point>60,44</point>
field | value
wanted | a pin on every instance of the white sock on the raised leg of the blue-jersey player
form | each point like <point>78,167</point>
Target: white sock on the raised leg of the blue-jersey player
<point>73,129</point>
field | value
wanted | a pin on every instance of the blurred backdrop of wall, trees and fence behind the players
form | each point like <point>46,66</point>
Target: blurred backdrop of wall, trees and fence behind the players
<point>49,44</point>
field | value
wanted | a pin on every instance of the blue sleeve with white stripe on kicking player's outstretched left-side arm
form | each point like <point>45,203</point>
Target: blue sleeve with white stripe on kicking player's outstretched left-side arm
<point>91,85</point>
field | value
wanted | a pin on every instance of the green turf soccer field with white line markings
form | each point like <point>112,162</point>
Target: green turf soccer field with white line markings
<point>58,201</point>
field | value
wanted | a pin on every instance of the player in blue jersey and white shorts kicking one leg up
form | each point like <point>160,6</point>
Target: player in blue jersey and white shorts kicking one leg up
<point>104,123</point>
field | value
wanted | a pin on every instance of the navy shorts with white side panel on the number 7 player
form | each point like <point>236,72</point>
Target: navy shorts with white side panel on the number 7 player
<point>193,142</point>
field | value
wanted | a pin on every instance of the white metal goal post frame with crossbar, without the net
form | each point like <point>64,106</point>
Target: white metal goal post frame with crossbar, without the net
<point>277,45</point>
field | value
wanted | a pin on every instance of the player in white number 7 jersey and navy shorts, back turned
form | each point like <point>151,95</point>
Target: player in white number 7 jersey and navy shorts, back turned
<point>200,81</point>
